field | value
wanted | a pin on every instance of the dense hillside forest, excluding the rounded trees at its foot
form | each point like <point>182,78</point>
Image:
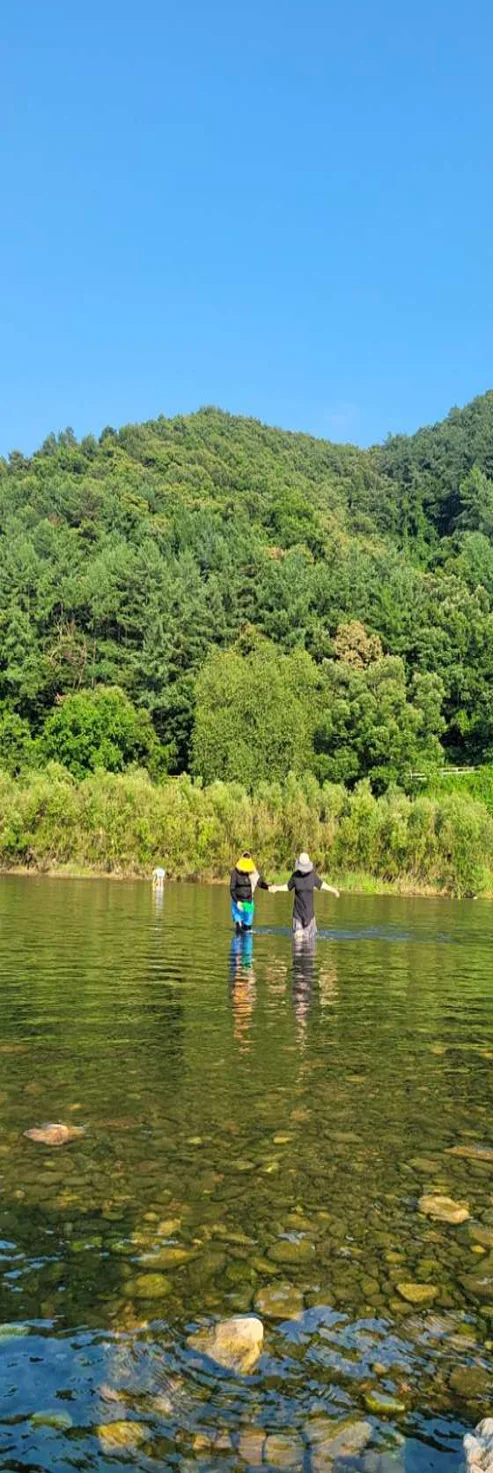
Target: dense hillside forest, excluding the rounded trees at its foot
<point>132,559</point>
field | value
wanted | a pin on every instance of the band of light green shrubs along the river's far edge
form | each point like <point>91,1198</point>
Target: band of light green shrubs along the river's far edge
<point>127,824</point>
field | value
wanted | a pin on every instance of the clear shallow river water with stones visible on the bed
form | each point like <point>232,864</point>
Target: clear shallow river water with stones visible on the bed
<point>258,1131</point>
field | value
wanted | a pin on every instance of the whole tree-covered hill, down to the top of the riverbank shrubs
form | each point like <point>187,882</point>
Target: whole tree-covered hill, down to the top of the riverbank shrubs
<point>216,596</point>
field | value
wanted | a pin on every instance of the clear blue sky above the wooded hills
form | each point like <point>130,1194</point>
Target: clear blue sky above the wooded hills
<point>285,210</point>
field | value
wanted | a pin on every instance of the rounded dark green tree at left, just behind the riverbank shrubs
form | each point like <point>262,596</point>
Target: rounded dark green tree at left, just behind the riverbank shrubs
<point>101,730</point>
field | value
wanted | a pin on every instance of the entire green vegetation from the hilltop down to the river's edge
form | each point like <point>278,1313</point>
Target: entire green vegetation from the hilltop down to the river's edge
<point>257,609</point>
